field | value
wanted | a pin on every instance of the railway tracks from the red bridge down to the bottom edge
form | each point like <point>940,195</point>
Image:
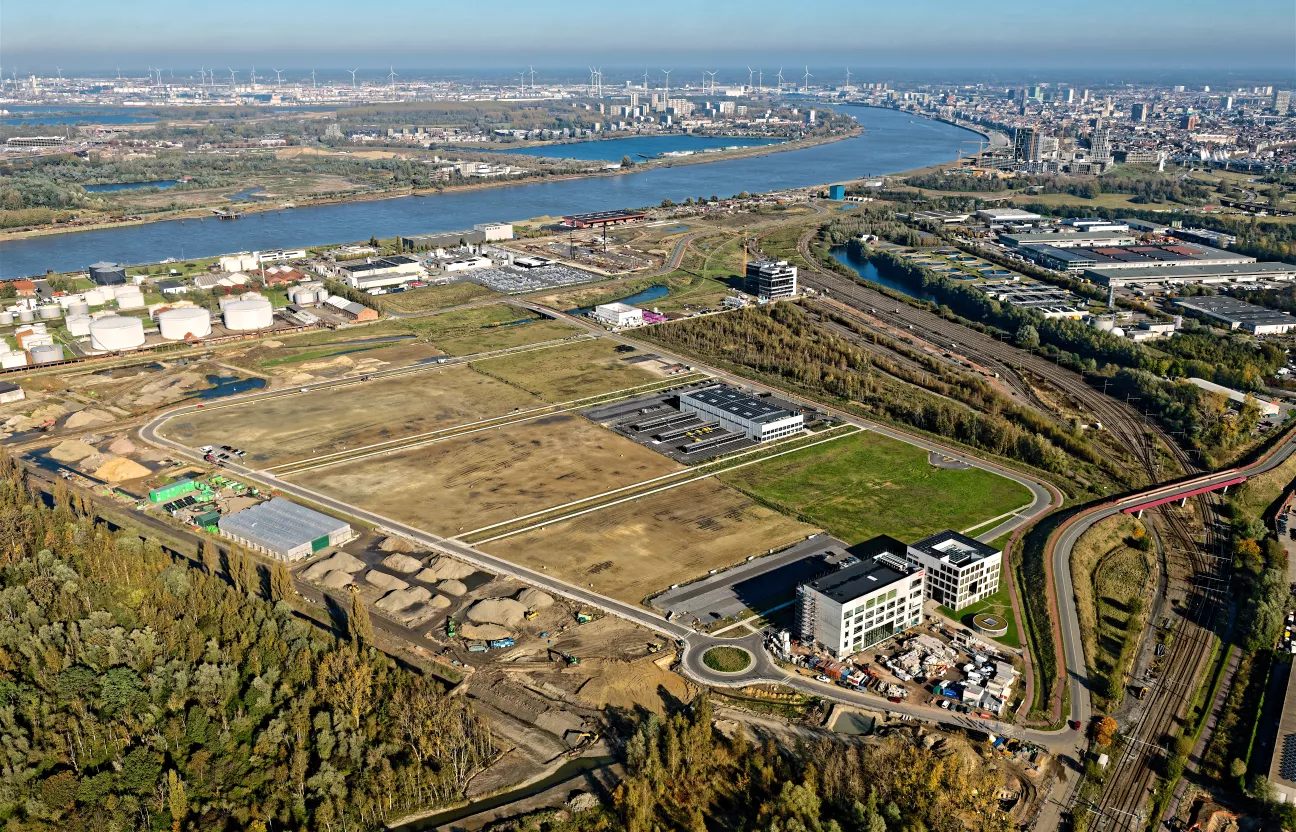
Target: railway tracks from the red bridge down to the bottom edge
<point>1151,738</point>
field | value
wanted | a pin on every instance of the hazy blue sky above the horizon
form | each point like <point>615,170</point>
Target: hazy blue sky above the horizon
<point>1238,37</point>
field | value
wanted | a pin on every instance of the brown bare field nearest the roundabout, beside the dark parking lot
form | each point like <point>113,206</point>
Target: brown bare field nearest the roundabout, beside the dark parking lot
<point>637,549</point>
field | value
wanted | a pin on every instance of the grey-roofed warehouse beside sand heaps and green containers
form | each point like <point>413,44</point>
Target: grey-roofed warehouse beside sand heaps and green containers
<point>283,529</point>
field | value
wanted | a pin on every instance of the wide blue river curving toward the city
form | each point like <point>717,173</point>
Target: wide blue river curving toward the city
<point>892,142</point>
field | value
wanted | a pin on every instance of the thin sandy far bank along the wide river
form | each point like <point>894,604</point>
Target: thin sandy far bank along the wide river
<point>205,212</point>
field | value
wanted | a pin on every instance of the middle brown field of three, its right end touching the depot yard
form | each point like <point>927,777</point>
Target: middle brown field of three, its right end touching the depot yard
<point>493,476</point>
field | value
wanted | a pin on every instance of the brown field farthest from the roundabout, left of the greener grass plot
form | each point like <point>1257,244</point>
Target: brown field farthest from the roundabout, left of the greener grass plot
<point>296,427</point>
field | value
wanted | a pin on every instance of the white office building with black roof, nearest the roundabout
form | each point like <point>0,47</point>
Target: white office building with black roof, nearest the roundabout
<point>865,603</point>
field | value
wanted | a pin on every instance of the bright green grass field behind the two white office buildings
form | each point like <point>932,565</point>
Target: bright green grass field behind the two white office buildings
<point>866,485</point>
